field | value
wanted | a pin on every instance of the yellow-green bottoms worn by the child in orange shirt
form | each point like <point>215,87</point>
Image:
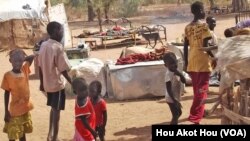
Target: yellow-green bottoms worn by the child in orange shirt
<point>18,126</point>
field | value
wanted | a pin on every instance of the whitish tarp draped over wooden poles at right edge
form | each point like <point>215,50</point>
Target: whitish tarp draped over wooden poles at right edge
<point>233,60</point>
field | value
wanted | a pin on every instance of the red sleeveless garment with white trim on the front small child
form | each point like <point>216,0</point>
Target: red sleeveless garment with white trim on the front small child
<point>88,110</point>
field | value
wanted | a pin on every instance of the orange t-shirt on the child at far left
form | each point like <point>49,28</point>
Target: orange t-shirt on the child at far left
<point>18,86</point>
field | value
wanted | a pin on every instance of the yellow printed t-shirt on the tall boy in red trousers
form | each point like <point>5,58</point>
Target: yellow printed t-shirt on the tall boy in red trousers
<point>198,60</point>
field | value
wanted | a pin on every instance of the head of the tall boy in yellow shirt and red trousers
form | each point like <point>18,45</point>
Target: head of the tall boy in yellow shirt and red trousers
<point>197,9</point>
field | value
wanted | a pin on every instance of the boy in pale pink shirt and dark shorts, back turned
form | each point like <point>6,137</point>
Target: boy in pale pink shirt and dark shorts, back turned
<point>53,65</point>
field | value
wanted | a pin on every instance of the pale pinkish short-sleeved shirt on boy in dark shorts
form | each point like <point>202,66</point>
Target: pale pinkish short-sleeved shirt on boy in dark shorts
<point>53,60</point>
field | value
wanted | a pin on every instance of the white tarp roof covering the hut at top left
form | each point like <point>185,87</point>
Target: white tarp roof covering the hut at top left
<point>13,9</point>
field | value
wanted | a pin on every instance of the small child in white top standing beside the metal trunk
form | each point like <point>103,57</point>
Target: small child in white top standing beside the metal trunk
<point>173,95</point>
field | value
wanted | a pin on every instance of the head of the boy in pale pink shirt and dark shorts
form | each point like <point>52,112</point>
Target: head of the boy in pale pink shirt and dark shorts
<point>55,31</point>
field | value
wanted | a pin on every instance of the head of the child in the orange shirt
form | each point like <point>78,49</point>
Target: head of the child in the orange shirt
<point>17,57</point>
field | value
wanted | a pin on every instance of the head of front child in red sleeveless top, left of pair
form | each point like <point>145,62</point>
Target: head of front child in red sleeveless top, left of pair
<point>80,88</point>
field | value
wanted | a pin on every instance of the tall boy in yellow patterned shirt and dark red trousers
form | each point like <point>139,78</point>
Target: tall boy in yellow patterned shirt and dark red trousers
<point>197,61</point>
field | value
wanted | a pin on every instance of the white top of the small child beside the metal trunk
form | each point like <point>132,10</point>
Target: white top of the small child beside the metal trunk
<point>176,85</point>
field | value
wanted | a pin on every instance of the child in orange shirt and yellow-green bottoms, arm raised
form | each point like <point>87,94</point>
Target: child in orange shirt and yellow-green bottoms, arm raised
<point>16,83</point>
